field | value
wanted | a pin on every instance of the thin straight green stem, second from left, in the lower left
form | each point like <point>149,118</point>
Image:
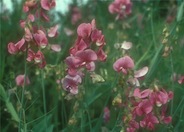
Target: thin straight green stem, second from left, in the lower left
<point>44,98</point>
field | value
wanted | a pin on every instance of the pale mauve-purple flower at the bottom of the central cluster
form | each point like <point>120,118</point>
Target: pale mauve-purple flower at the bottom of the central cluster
<point>70,83</point>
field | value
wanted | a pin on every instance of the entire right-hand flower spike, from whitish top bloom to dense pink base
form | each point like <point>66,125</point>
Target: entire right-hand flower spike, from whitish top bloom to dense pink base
<point>145,107</point>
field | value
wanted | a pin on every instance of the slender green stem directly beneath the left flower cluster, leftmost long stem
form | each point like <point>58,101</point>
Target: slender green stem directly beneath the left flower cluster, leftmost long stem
<point>22,113</point>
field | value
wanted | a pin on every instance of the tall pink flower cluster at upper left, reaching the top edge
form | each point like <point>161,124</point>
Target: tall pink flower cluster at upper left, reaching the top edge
<point>35,37</point>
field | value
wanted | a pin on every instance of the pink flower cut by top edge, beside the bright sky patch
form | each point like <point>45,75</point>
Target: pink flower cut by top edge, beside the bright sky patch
<point>47,4</point>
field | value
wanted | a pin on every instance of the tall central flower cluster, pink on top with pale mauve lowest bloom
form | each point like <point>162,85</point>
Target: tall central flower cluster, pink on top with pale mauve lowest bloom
<point>82,56</point>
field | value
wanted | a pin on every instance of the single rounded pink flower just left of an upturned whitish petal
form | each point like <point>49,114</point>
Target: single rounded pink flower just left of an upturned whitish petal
<point>123,64</point>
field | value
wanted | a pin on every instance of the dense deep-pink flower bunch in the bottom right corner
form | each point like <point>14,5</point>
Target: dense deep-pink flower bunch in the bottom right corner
<point>149,109</point>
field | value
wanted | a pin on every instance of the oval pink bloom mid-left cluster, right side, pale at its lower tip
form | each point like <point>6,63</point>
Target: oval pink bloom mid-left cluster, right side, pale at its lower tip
<point>40,39</point>
